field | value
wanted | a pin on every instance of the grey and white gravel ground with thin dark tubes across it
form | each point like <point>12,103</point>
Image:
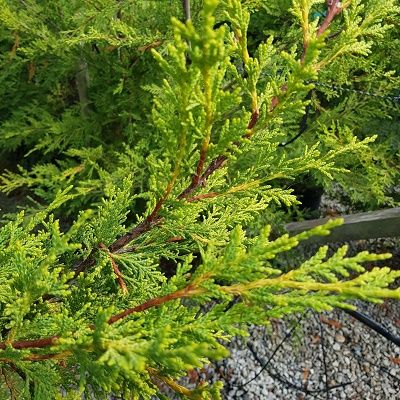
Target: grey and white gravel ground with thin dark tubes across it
<point>320,356</point>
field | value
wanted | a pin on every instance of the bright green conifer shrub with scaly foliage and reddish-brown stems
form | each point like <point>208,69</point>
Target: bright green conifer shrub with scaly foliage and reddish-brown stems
<point>158,143</point>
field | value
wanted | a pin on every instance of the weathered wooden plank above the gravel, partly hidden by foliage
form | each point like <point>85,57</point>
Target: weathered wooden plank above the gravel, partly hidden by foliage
<point>366,225</point>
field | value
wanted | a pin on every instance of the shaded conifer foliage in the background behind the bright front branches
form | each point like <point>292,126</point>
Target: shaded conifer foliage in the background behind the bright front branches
<point>81,75</point>
